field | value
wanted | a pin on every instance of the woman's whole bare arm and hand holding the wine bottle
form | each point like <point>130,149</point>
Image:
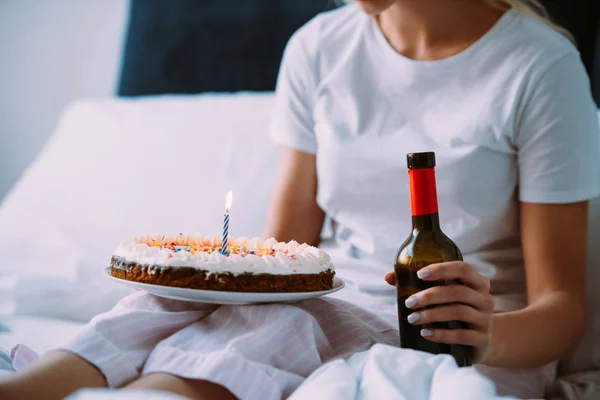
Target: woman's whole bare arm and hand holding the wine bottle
<point>554,249</point>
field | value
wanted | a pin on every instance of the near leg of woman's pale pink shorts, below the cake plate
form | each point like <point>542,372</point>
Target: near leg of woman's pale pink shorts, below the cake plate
<point>266,351</point>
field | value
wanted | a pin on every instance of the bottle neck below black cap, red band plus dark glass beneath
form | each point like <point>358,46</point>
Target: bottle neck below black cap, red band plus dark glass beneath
<point>423,199</point>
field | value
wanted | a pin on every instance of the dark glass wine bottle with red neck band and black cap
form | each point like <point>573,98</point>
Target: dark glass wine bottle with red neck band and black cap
<point>425,245</point>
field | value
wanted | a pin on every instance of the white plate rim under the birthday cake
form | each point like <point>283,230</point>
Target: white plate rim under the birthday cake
<point>218,297</point>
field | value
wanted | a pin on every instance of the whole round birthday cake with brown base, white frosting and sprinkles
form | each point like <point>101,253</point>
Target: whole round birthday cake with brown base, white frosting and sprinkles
<point>245,265</point>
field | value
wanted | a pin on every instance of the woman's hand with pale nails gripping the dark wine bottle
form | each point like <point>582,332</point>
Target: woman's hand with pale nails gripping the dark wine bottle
<point>471,303</point>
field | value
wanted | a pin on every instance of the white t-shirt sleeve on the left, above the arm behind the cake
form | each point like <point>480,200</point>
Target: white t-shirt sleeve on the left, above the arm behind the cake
<point>292,120</point>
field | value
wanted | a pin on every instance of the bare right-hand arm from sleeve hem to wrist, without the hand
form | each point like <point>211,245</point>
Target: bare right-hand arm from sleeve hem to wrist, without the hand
<point>554,248</point>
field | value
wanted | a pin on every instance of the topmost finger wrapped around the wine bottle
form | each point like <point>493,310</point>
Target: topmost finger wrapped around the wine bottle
<point>457,270</point>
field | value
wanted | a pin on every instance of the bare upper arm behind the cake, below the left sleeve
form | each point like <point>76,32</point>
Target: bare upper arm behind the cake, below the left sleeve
<point>294,213</point>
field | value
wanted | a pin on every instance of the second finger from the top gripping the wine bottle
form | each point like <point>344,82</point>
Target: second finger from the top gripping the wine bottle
<point>445,294</point>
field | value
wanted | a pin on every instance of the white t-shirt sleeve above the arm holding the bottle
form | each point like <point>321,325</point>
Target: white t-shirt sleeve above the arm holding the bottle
<point>558,138</point>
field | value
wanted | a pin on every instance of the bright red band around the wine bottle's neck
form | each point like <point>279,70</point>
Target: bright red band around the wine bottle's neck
<point>423,193</point>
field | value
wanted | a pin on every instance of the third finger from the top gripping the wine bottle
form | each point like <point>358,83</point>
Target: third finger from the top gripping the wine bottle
<point>454,312</point>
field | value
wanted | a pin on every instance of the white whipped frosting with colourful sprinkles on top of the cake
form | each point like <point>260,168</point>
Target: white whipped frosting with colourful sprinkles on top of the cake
<point>288,258</point>
